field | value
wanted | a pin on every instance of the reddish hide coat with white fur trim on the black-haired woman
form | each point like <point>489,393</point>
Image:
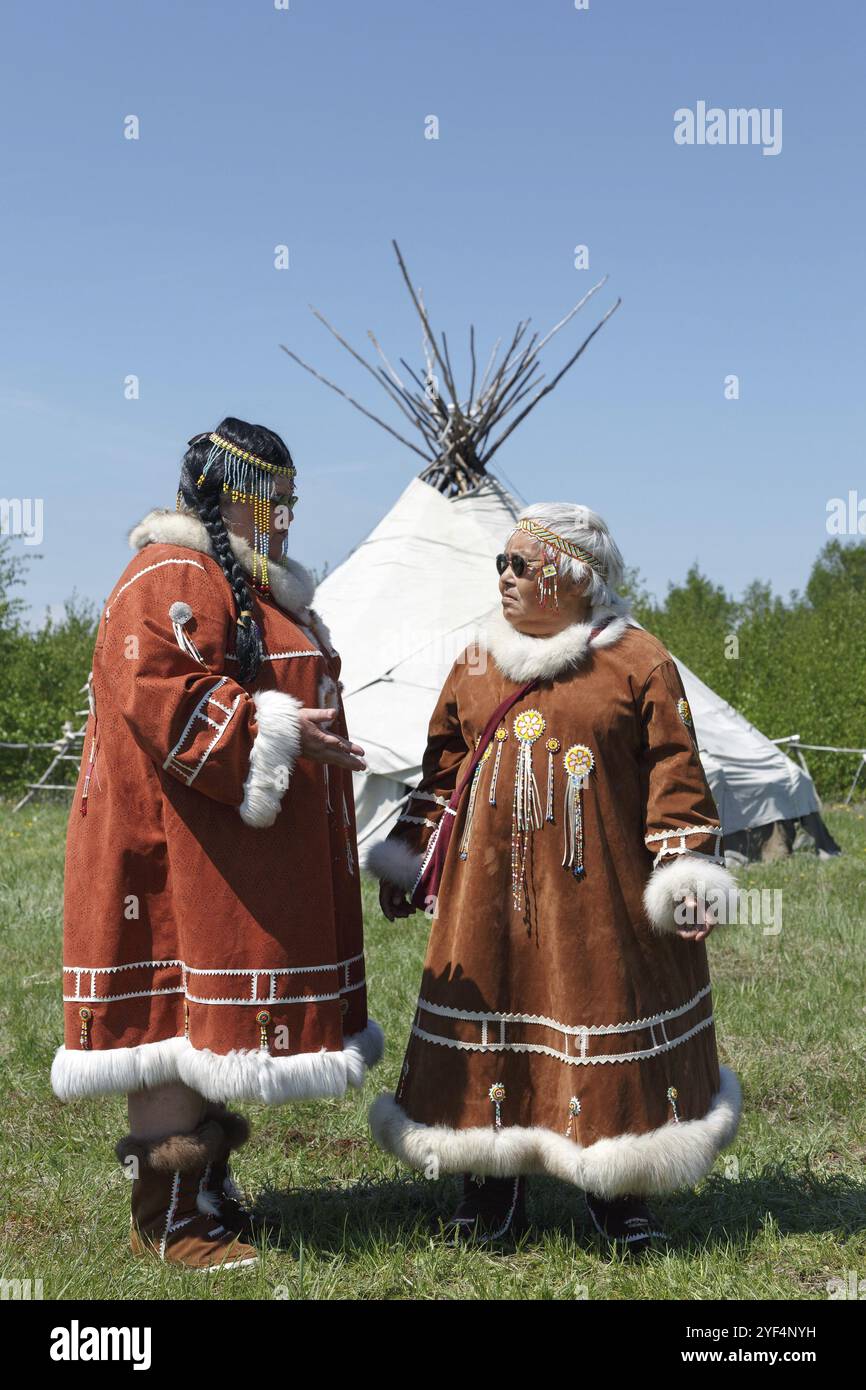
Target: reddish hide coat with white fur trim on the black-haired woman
<point>213,919</point>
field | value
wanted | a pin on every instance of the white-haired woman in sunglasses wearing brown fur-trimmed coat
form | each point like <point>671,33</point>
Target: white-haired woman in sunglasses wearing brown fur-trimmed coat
<point>565,1021</point>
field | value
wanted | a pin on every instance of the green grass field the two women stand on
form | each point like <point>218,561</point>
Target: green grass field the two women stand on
<point>782,1214</point>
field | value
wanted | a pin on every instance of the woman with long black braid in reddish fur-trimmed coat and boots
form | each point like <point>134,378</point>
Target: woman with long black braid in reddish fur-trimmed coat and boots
<point>213,939</point>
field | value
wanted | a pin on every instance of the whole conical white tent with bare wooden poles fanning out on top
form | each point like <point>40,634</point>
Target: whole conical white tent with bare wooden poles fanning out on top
<point>419,590</point>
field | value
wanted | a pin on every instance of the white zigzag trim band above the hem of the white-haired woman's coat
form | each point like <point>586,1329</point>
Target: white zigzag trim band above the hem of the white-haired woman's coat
<point>585,1035</point>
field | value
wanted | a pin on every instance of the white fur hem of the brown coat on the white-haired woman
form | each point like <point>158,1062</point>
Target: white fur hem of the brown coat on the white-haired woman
<point>667,1160</point>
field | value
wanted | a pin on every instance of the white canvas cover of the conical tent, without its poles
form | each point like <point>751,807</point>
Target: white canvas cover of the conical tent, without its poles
<point>418,591</point>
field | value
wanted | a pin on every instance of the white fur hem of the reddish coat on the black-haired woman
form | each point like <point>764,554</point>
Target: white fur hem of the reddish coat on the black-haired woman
<point>233,1077</point>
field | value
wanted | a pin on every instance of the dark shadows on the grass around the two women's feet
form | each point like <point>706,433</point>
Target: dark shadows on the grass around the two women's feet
<point>334,1218</point>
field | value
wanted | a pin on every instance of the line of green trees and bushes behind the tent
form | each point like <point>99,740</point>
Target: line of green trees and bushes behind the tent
<point>790,667</point>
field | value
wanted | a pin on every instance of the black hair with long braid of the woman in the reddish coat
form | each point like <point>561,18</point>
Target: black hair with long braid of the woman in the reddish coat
<point>205,502</point>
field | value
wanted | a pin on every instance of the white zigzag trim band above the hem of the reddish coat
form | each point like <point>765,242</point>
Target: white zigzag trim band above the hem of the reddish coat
<point>275,990</point>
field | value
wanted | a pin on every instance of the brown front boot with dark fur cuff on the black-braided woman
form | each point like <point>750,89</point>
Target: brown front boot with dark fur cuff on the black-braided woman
<point>172,1218</point>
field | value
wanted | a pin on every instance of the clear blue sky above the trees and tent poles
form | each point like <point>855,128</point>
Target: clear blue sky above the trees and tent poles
<point>307,127</point>
